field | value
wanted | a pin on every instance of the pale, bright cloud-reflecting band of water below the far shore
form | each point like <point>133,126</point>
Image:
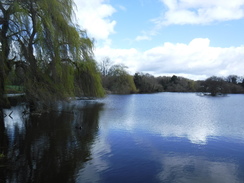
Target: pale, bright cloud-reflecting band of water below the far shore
<point>180,115</point>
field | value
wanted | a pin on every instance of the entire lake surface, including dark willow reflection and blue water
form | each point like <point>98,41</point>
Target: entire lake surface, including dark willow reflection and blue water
<point>164,137</point>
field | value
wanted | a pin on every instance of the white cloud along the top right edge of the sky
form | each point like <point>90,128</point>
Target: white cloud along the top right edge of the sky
<point>200,11</point>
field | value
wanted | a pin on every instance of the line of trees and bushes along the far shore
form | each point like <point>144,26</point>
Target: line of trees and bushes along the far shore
<point>117,80</point>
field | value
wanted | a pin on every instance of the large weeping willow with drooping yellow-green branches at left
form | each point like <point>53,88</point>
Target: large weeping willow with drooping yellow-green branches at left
<point>50,49</point>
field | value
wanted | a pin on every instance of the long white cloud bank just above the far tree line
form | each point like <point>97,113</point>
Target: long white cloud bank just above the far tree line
<point>196,60</point>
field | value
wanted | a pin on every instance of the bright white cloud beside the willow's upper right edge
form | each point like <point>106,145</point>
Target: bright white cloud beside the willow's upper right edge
<point>93,15</point>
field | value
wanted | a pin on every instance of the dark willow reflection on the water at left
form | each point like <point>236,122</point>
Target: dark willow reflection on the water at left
<point>48,147</point>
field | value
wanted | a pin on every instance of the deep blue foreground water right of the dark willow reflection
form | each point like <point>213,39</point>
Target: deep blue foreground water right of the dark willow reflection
<point>144,158</point>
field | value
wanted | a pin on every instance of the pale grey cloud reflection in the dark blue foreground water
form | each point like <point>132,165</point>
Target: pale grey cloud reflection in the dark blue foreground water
<point>196,169</point>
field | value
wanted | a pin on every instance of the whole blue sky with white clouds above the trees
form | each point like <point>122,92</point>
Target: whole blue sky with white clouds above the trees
<point>190,38</point>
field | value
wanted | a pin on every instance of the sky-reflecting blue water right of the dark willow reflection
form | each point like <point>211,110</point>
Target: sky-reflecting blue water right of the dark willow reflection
<point>168,138</point>
